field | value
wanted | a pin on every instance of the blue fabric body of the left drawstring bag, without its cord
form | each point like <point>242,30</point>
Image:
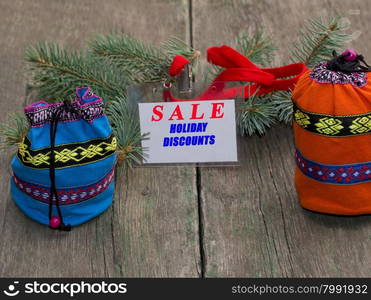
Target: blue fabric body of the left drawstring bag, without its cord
<point>83,135</point>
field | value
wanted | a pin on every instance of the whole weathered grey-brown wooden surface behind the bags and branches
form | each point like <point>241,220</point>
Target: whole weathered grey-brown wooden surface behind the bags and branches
<point>183,221</point>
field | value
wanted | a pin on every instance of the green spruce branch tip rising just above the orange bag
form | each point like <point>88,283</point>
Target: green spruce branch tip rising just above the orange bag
<point>317,40</point>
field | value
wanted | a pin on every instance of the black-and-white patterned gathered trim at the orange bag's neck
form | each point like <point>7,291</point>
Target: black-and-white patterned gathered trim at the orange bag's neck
<point>321,74</point>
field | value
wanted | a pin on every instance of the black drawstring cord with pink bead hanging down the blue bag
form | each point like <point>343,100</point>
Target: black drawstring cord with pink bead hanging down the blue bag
<point>53,221</point>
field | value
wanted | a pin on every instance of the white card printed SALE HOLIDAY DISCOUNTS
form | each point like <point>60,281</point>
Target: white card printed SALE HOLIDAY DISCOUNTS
<point>189,131</point>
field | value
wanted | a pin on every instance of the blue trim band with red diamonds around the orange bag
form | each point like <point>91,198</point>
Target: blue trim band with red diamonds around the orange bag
<point>336,174</point>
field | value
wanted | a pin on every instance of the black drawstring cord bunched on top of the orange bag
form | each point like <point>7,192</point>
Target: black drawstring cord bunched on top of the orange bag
<point>341,64</point>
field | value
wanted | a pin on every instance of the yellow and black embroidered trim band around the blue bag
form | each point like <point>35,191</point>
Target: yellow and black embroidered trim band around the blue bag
<point>67,155</point>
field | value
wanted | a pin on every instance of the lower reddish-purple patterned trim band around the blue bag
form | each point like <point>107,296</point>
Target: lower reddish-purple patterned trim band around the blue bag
<point>66,196</point>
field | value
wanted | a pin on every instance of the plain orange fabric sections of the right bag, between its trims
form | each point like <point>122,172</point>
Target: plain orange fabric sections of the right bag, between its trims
<point>336,100</point>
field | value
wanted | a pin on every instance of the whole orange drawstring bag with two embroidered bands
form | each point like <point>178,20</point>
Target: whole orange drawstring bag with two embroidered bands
<point>332,126</point>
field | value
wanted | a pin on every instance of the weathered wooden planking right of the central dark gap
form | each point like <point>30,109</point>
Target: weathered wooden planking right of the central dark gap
<point>253,224</point>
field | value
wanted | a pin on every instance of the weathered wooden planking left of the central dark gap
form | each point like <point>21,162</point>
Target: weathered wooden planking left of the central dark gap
<point>151,230</point>
